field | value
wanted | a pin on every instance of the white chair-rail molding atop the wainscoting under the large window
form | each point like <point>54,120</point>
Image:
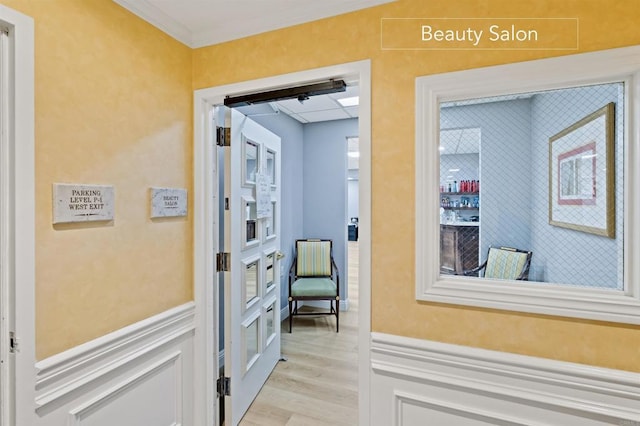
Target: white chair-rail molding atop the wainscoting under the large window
<point>417,367</point>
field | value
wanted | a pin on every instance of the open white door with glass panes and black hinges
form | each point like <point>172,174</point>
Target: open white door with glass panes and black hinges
<point>252,287</point>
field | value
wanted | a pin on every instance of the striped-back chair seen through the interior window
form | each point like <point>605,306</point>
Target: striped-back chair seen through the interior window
<point>505,263</point>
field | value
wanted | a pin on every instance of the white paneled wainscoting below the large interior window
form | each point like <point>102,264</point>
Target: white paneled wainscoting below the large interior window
<point>417,382</point>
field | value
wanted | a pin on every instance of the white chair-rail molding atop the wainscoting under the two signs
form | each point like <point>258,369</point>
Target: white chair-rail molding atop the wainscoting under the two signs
<point>67,373</point>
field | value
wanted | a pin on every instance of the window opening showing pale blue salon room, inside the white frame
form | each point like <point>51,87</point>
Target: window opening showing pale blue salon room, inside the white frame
<point>532,187</point>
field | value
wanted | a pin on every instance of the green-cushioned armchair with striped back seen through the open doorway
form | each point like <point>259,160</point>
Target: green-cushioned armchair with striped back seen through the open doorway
<point>314,276</point>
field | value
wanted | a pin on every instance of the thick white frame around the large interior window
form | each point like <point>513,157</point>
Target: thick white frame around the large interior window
<point>568,71</point>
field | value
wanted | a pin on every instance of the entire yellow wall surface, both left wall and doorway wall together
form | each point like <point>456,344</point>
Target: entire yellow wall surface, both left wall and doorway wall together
<point>113,106</point>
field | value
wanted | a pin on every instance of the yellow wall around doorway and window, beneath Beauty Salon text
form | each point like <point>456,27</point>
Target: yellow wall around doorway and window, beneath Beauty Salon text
<point>356,36</point>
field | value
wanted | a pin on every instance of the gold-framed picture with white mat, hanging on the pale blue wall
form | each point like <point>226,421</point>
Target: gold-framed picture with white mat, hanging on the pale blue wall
<point>581,175</point>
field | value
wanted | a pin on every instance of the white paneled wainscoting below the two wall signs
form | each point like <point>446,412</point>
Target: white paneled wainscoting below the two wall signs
<point>139,375</point>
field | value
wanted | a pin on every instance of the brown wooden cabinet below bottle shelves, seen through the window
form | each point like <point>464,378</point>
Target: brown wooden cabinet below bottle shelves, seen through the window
<point>458,248</point>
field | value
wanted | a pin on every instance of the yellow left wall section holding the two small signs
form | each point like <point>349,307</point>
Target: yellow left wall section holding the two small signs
<point>113,106</point>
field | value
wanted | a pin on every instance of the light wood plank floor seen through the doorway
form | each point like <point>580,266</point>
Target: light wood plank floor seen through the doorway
<point>318,384</point>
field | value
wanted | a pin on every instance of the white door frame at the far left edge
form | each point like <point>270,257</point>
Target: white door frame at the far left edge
<point>17,193</point>
